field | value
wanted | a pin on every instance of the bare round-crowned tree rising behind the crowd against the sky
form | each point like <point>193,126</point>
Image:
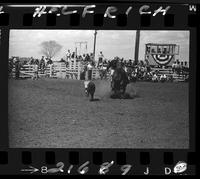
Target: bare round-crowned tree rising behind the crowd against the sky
<point>50,48</point>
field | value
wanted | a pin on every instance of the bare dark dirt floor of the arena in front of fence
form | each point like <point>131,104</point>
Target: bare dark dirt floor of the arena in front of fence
<point>54,113</point>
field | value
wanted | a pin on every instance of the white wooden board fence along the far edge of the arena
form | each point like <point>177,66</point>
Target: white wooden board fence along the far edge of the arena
<point>74,70</point>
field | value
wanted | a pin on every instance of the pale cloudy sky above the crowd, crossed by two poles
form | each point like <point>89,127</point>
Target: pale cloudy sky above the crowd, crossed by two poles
<point>27,43</point>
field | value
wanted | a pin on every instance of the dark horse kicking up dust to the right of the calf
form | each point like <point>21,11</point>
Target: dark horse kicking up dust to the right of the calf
<point>119,79</point>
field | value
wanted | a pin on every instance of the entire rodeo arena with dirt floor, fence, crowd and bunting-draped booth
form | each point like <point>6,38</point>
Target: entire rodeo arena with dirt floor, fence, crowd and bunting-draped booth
<point>69,102</point>
